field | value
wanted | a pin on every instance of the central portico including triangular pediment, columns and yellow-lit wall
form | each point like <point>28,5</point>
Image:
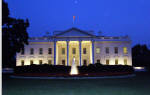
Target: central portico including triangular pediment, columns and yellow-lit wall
<point>73,43</point>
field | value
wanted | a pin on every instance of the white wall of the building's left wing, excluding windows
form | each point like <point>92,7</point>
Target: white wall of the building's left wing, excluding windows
<point>36,56</point>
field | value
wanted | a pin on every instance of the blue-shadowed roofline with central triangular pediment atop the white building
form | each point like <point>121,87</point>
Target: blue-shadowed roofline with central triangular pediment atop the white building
<point>76,34</point>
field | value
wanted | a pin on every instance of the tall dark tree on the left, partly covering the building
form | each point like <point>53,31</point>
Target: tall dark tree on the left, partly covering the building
<point>14,36</point>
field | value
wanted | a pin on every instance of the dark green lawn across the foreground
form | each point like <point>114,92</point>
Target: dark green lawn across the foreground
<point>138,85</point>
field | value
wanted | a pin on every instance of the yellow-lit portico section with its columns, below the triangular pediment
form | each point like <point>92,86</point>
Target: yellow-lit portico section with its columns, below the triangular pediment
<point>81,50</point>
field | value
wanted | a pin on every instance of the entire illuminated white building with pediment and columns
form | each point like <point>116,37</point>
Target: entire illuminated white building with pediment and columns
<point>85,47</point>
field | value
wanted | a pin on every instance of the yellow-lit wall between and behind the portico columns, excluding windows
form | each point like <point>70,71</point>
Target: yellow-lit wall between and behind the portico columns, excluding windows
<point>74,44</point>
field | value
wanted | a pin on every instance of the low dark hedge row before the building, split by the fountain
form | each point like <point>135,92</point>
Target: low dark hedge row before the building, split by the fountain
<point>92,68</point>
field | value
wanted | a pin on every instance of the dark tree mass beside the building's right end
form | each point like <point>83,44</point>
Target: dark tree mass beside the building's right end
<point>141,55</point>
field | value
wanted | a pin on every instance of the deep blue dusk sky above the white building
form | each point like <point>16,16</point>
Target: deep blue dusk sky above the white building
<point>112,17</point>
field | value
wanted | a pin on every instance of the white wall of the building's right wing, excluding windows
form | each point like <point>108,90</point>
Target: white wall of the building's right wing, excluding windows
<point>112,56</point>
